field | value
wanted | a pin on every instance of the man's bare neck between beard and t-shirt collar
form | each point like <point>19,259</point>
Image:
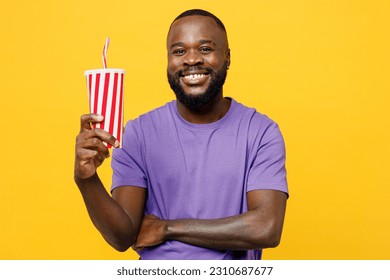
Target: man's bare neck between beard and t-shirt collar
<point>209,113</point>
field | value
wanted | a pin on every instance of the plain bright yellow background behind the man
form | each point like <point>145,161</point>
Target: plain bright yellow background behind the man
<point>318,68</point>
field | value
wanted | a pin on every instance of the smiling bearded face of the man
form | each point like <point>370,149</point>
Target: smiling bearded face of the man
<point>198,57</point>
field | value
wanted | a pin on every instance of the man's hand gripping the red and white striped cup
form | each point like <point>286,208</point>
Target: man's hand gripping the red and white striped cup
<point>90,149</point>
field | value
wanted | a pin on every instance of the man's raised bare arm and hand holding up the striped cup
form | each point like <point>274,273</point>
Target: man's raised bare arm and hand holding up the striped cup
<point>118,218</point>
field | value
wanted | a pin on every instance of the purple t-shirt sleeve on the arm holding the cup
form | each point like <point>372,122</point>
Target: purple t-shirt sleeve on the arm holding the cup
<point>127,162</point>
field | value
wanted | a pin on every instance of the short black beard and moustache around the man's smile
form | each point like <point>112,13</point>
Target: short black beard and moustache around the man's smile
<point>197,102</point>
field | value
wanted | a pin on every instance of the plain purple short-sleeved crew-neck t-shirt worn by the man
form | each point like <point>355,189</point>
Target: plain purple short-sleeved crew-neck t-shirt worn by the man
<point>199,171</point>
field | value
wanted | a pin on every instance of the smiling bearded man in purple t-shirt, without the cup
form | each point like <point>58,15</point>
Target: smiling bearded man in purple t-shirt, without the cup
<point>202,177</point>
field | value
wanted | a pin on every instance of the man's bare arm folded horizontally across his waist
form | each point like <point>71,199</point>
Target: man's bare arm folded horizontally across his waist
<point>260,227</point>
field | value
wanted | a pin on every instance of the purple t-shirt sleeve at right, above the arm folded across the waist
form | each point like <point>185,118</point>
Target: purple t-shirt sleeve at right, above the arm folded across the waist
<point>268,170</point>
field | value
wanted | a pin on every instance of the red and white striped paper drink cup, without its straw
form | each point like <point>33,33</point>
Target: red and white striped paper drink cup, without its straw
<point>105,92</point>
